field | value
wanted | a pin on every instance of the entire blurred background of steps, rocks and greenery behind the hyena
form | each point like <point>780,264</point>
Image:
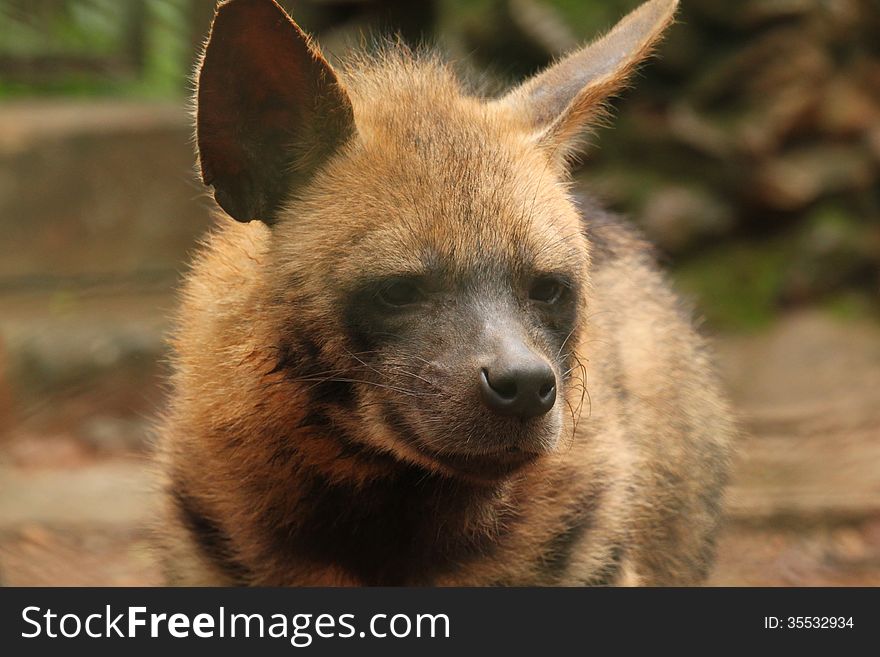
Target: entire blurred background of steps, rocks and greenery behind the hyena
<point>749,152</point>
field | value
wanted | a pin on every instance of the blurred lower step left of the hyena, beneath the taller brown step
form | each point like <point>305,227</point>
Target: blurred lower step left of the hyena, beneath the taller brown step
<point>85,363</point>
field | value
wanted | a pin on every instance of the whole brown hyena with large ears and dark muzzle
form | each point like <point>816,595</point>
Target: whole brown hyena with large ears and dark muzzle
<point>408,354</point>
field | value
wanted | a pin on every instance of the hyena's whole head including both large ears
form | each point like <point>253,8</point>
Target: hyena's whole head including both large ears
<point>427,277</point>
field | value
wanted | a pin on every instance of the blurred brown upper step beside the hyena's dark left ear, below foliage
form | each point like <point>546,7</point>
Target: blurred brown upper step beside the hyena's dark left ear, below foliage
<point>96,191</point>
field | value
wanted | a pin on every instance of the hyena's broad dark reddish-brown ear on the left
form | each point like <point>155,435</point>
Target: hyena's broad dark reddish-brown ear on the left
<point>270,109</point>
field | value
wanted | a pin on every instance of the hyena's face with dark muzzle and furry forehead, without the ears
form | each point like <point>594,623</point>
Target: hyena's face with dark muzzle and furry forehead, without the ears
<point>453,292</point>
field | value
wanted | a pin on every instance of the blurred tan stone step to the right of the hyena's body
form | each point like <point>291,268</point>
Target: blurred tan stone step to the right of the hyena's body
<point>808,396</point>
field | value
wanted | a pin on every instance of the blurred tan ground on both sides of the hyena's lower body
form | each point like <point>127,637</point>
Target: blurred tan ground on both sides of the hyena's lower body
<point>804,507</point>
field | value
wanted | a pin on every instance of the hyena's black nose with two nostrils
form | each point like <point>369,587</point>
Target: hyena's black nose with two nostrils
<point>525,389</point>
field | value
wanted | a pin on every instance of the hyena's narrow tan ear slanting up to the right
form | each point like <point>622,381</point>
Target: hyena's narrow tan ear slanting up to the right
<point>558,103</point>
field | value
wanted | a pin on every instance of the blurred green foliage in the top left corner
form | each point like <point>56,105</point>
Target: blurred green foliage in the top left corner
<point>101,33</point>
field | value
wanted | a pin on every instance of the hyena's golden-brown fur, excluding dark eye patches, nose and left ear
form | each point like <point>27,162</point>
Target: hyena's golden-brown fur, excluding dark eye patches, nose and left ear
<point>281,450</point>
